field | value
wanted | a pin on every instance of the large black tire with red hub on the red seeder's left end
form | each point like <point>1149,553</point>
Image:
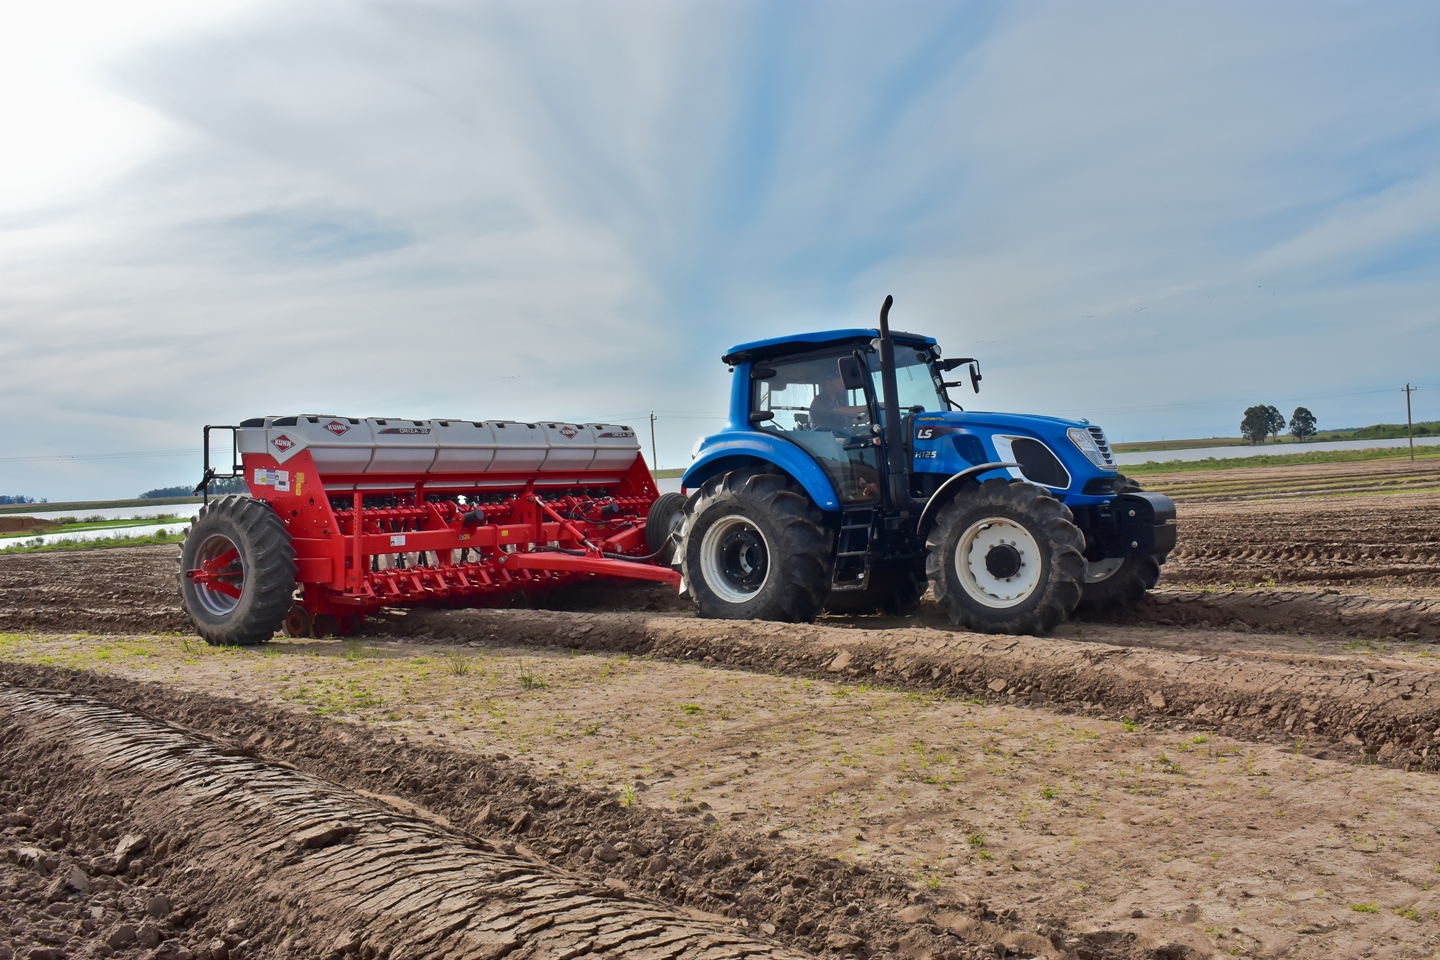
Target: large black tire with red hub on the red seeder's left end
<point>244,559</point>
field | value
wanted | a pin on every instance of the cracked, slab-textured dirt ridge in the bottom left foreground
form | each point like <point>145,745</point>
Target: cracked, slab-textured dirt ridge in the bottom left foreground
<point>450,896</point>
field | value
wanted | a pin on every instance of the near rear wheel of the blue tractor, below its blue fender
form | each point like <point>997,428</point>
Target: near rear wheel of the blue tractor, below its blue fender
<point>755,549</point>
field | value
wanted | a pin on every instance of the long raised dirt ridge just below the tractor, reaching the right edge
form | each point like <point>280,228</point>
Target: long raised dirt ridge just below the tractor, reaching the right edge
<point>1327,705</point>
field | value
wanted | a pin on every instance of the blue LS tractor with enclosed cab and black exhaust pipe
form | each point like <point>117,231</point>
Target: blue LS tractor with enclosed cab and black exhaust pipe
<point>847,480</point>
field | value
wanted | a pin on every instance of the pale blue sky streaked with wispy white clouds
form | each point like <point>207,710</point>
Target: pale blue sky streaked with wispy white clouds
<point>1148,215</point>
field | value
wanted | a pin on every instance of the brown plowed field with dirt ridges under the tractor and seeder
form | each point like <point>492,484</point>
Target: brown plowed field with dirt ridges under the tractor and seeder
<point>1242,768</point>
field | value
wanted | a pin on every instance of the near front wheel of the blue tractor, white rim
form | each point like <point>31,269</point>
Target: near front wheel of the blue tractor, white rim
<point>1006,558</point>
